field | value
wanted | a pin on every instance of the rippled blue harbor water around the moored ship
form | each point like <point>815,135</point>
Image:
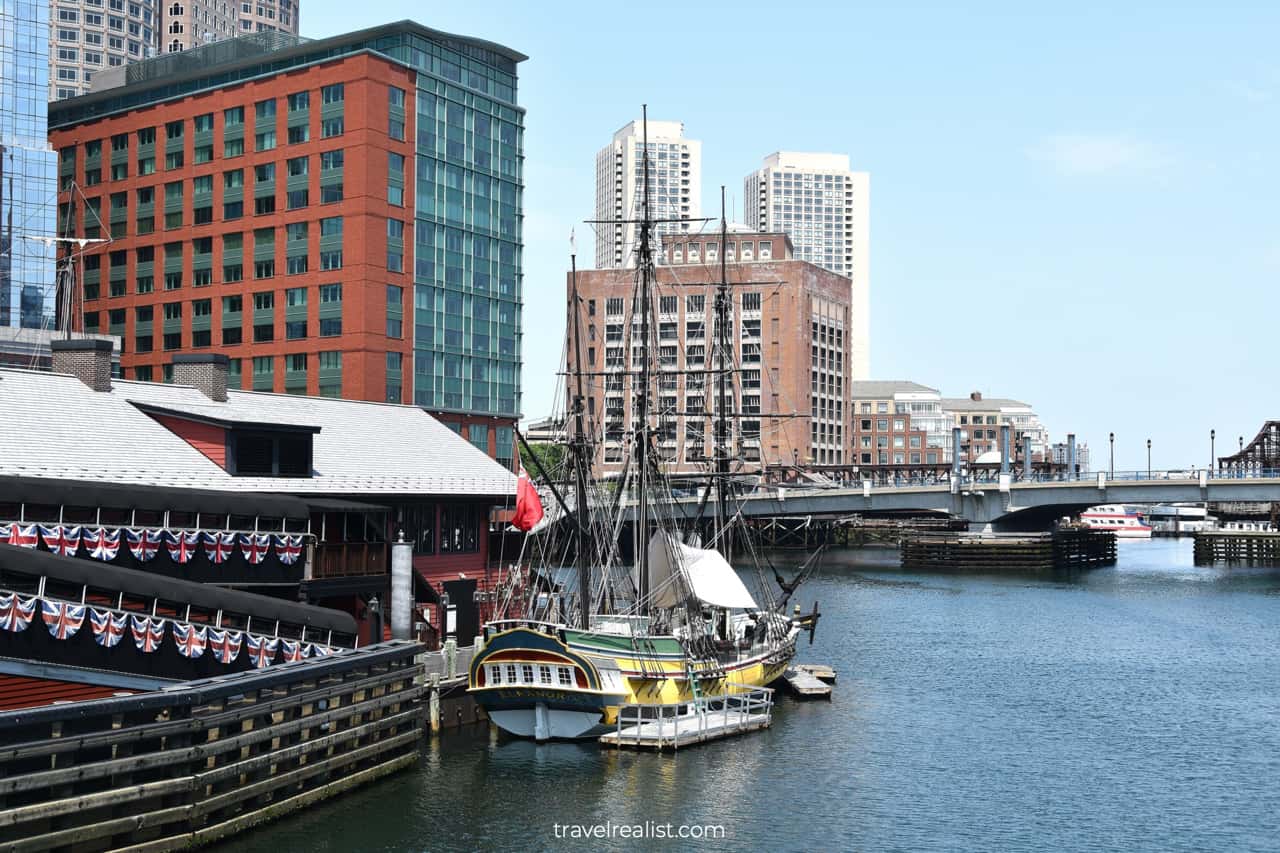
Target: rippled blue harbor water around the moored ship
<point>1131,709</point>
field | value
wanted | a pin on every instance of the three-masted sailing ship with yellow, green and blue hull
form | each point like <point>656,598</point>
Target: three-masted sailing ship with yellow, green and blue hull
<point>675,626</point>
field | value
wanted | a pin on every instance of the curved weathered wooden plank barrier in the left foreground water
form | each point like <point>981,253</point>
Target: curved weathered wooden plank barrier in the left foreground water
<point>202,761</point>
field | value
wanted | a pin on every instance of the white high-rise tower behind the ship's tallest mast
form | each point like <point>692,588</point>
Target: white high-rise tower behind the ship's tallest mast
<point>675,188</point>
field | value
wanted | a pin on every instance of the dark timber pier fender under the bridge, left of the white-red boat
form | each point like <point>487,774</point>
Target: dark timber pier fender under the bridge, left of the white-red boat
<point>1068,549</point>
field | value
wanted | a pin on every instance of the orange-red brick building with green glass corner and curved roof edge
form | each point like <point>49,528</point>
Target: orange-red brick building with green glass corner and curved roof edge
<point>339,217</point>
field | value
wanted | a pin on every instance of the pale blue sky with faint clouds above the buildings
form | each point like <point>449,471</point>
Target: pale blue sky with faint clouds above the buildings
<point>1072,207</point>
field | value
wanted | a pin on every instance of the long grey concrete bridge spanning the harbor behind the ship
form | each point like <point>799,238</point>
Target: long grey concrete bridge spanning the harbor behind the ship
<point>1004,503</point>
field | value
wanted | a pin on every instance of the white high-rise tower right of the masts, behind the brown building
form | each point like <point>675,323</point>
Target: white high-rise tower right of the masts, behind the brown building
<point>826,211</point>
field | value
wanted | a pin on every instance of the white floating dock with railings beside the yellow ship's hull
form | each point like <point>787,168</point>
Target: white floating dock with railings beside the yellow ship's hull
<point>684,724</point>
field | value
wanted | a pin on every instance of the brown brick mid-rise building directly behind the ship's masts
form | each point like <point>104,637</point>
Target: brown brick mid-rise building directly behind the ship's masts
<point>789,354</point>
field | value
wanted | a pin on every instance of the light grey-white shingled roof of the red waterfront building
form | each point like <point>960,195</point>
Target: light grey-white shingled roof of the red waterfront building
<point>53,426</point>
